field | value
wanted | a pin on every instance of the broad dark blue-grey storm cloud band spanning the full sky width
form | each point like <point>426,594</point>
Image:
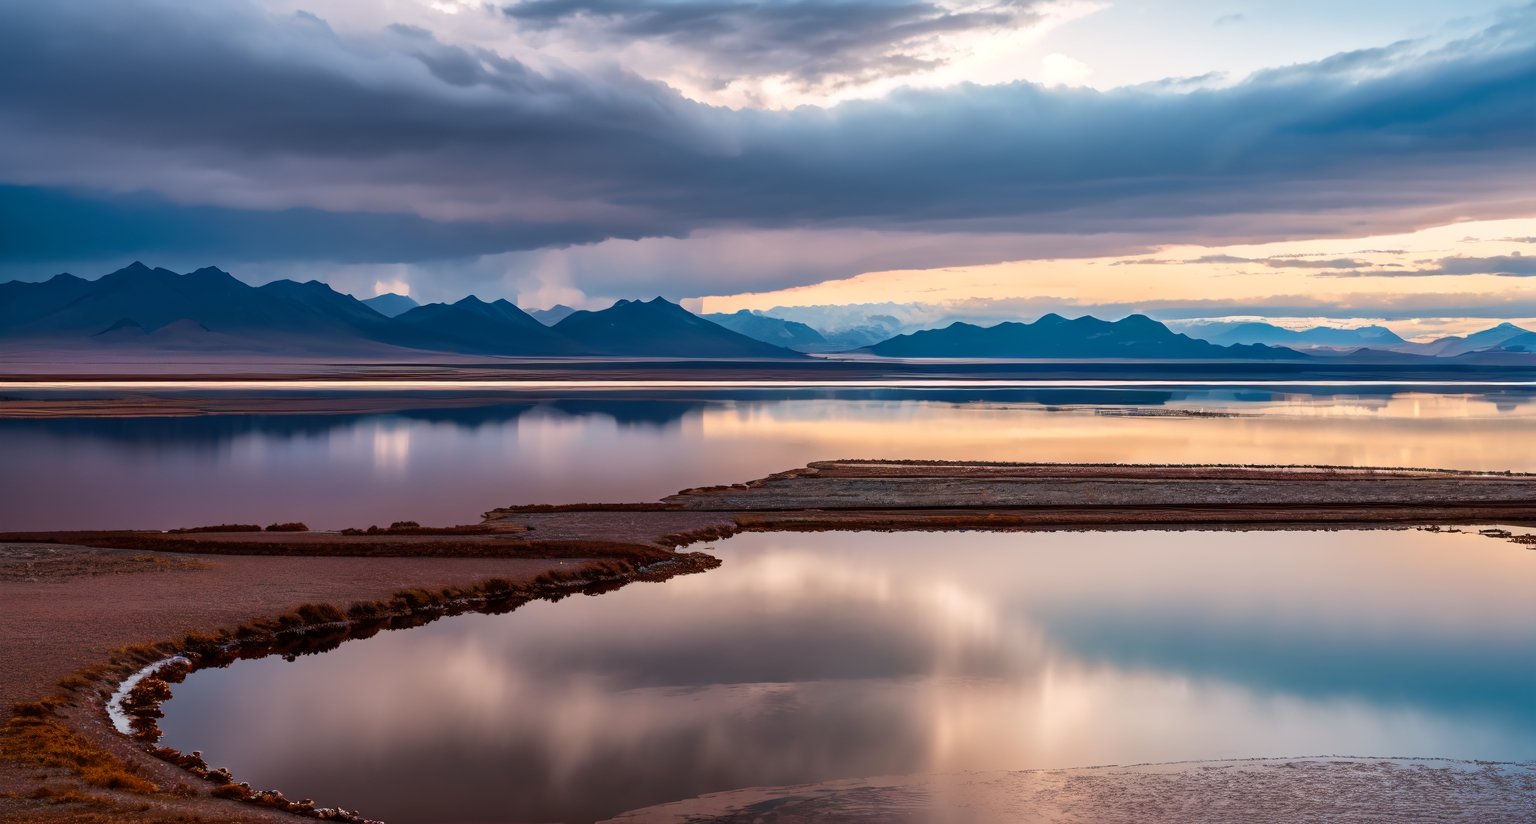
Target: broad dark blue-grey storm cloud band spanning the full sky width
<point>247,116</point>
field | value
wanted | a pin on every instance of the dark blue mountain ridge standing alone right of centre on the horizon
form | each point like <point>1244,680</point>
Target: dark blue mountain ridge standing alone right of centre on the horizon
<point>1058,337</point>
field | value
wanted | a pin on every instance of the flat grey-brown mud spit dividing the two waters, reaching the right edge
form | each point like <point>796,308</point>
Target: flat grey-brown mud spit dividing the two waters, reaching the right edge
<point>1001,496</point>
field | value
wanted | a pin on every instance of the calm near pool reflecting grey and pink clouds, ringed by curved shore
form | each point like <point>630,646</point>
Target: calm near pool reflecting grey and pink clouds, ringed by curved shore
<point>838,656</point>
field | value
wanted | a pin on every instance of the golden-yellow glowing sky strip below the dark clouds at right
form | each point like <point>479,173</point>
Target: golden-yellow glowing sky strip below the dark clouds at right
<point>1282,274</point>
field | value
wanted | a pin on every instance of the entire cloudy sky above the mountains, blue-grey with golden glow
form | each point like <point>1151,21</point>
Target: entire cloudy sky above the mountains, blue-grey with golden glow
<point>1348,162</point>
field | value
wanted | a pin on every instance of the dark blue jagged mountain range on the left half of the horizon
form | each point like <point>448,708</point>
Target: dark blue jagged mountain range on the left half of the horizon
<point>211,311</point>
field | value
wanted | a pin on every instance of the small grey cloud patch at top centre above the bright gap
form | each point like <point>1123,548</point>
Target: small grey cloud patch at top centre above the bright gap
<point>812,42</point>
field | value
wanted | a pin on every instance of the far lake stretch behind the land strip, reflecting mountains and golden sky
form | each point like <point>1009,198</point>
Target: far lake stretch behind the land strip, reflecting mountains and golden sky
<point>446,467</point>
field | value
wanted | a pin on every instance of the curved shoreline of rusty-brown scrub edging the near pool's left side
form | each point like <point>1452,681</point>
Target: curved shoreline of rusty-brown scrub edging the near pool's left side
<point>71,742</point>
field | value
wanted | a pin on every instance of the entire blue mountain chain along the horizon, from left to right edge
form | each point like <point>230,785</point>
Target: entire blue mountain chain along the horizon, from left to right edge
<point>210,311</point>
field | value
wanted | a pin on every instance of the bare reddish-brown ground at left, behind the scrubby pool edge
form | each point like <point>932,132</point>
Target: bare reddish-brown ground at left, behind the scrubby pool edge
<point>68,608</point>
